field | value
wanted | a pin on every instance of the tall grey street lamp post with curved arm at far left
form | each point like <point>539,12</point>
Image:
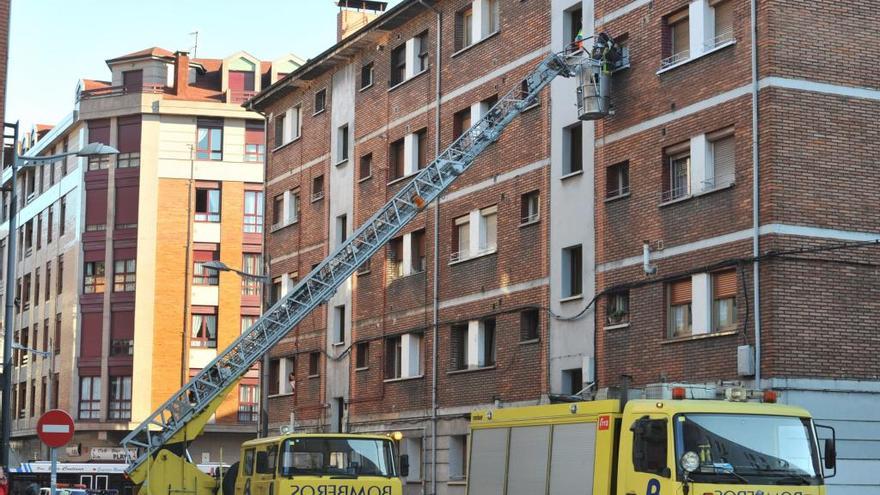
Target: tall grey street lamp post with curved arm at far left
<point>18,162</point>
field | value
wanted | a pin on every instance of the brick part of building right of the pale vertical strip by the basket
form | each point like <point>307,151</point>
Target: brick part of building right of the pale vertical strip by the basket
<point>747,171</point>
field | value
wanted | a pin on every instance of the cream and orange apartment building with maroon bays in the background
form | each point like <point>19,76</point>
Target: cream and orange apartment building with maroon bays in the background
<point>110,252</point>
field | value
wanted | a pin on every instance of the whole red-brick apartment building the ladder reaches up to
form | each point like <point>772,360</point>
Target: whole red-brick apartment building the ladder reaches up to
<point>452,315</point>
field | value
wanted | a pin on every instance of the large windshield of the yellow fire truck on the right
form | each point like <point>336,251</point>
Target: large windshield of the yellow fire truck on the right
<point>743,448</point>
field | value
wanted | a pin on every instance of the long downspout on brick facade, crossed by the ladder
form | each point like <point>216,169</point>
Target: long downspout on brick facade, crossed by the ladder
<point>435,317</point>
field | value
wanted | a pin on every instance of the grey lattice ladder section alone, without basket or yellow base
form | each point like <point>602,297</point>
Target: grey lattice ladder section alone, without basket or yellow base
<point>203,391</point>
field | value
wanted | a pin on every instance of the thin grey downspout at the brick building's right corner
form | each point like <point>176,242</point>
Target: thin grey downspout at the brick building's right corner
<point>756,220</point>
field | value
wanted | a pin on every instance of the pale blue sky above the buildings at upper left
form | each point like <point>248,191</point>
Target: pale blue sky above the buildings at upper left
<point>54,43</point>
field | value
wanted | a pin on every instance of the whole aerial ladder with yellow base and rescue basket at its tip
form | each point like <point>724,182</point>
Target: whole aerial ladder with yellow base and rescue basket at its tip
<point>156,449</point>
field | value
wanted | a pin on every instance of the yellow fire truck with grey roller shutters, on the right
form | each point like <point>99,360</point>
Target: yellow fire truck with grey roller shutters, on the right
<point>649,447</point>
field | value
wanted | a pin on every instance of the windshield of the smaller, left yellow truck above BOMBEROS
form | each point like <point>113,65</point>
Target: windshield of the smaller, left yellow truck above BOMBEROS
<point>343,457</point>
